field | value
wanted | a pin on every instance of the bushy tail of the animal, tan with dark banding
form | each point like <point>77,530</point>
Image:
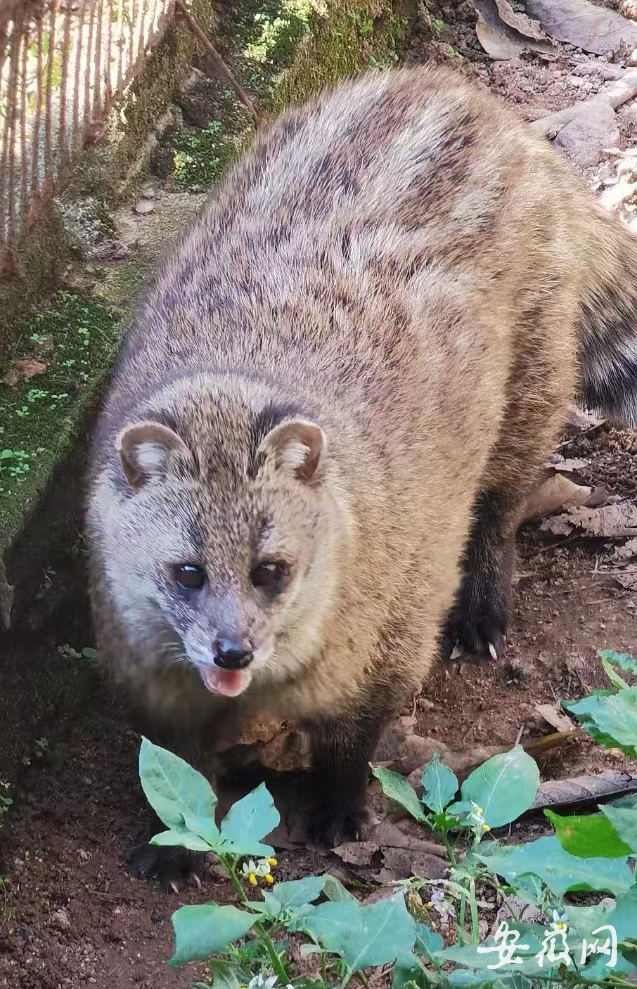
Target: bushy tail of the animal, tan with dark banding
<point>608,329</point>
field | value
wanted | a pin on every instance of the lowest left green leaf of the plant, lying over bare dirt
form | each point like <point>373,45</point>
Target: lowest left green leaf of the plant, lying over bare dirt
<point>204,929</point>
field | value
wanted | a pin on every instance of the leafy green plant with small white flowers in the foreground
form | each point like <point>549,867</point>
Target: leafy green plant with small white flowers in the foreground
<point>248,944</point>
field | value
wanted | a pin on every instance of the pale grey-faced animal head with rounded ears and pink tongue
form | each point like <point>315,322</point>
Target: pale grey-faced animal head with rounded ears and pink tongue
<point>223,536</point>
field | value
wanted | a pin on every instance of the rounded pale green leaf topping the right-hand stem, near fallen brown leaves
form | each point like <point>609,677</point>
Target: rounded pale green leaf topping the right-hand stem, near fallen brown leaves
<point>504,786</point>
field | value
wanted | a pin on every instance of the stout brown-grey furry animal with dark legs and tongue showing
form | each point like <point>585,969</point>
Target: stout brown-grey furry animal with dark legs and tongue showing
<point>332,403</point>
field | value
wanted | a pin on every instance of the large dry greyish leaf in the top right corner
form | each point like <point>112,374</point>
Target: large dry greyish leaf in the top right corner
<point>595,29</point>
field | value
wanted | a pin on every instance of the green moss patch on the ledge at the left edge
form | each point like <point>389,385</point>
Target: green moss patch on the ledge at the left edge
<point>76,339</point>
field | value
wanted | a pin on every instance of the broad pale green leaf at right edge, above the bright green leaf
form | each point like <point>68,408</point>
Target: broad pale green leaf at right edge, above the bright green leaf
<point>611,719</point>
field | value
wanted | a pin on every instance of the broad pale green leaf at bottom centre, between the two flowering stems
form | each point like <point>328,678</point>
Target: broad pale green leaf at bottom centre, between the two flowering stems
<point>363,936</point>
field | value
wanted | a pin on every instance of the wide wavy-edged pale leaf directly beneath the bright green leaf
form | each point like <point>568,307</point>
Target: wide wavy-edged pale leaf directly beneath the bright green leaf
<point>546,859</point>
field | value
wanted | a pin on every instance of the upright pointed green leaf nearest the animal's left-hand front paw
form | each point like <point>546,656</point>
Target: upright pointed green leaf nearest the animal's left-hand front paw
<point>172,787</point>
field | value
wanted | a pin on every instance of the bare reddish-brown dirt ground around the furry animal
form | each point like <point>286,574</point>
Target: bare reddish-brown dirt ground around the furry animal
<point>71,916</point>
